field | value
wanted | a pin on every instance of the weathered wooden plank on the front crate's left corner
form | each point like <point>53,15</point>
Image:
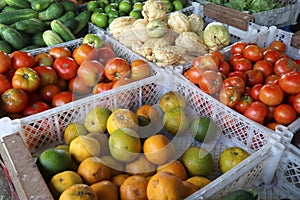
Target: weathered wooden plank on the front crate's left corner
<point>26,177</point>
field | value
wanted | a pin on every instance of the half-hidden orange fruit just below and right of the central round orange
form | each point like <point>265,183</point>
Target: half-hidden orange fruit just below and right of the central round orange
<point>175,167</point>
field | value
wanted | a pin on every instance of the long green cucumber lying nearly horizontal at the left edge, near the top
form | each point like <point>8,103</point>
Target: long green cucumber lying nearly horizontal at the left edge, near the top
<point>12,16</point>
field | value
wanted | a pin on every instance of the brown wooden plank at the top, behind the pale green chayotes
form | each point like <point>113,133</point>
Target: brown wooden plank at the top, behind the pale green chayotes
<point>228,16</point>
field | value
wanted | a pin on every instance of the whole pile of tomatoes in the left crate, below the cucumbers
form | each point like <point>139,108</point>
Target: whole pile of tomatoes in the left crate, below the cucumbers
<point>30,84</point>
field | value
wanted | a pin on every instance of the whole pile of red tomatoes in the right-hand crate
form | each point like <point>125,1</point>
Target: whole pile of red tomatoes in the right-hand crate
<point>263,84</point>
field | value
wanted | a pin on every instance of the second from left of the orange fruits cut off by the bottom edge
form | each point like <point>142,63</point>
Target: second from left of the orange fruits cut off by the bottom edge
<point>106,190</point>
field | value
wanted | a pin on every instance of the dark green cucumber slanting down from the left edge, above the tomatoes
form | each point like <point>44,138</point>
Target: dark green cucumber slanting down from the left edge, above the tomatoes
<point>14,37</point>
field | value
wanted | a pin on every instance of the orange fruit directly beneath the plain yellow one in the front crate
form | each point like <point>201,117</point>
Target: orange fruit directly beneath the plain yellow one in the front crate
<point>93,170</point>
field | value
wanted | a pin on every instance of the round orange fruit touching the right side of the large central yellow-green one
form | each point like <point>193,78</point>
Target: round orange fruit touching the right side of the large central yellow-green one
<point>158,149</point>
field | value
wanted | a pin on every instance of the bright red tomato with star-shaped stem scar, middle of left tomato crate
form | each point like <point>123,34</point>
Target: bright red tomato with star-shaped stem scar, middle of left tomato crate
<point>65,67</point>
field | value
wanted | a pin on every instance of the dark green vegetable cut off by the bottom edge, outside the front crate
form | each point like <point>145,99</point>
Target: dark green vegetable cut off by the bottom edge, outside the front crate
<point>241,195</point>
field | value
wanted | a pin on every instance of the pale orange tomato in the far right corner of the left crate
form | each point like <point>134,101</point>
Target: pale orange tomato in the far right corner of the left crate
<point>140,69</point>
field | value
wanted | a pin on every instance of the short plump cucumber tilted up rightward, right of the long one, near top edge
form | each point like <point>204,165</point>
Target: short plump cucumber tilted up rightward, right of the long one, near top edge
<point>55,10</point>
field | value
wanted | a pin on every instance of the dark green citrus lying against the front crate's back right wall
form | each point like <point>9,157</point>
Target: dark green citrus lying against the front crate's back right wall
<point>204,128</point>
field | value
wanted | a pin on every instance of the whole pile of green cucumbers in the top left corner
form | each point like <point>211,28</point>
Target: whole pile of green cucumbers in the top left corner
<point>30,24</point>
